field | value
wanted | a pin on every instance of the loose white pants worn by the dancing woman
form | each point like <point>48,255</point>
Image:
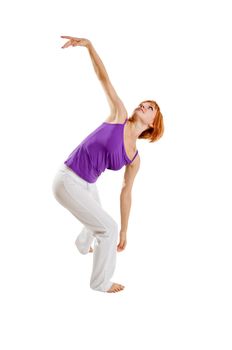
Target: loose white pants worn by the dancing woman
<point>81,198</point>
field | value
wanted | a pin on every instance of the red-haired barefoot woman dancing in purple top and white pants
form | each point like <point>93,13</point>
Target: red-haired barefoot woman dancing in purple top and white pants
<point>110,146</point>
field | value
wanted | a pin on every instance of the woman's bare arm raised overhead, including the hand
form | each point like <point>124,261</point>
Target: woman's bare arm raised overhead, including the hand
<point>115,103</point>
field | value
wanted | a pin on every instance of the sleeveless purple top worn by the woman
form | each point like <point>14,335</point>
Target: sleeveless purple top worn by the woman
<point>103,148</point>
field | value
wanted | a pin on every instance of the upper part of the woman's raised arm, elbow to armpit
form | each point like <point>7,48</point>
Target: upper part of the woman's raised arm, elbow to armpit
<point>116,105</point>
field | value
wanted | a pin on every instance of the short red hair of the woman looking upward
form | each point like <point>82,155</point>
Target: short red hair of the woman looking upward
<point>156,132</point>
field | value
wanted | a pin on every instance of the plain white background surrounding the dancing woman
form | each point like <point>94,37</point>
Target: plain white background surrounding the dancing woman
<point>177,263</point>
